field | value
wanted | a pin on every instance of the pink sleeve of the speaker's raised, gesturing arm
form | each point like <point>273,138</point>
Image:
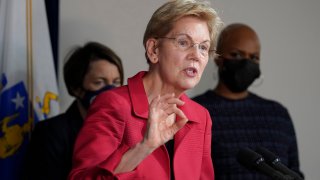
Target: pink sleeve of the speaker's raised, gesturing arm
<point>98,148</point>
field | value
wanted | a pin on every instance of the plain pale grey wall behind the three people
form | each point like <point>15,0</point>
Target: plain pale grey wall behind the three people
<point>289,31</point>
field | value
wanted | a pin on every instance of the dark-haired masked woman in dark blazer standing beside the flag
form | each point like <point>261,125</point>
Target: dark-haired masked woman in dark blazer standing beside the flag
<point>88,71</point>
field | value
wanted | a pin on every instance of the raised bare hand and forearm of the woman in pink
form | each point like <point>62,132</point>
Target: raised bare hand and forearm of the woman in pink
<point>161,127</point>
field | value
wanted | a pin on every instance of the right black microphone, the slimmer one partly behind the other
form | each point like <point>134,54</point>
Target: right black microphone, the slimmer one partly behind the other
<point>275,162</point>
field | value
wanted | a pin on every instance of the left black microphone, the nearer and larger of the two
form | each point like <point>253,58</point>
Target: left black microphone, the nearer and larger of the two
<point>255,161</point>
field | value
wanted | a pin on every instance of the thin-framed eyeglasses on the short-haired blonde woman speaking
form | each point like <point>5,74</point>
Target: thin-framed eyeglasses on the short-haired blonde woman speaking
<point>184,42</point>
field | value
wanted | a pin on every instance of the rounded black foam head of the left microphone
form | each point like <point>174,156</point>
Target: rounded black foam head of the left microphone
<point>249,158</point>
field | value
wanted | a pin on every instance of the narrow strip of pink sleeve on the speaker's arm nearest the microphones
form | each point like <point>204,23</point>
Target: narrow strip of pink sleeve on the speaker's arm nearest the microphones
<point>207,171</point>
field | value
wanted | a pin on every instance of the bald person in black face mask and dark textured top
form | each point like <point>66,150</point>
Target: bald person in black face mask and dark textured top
<point>240,117</point>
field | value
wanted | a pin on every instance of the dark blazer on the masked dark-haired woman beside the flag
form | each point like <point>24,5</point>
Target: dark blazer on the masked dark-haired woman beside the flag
<point>49,154</point>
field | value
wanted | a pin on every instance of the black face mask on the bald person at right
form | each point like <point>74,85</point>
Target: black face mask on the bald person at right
<point>238,75</point>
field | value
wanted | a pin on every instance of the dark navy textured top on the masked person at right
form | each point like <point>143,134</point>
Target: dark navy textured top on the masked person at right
<point>249,122</point>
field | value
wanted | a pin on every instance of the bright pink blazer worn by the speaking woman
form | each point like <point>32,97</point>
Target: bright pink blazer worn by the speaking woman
<point>117,121</point>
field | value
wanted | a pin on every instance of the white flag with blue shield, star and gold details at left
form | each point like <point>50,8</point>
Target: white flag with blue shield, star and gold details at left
<point>28,86</point>
